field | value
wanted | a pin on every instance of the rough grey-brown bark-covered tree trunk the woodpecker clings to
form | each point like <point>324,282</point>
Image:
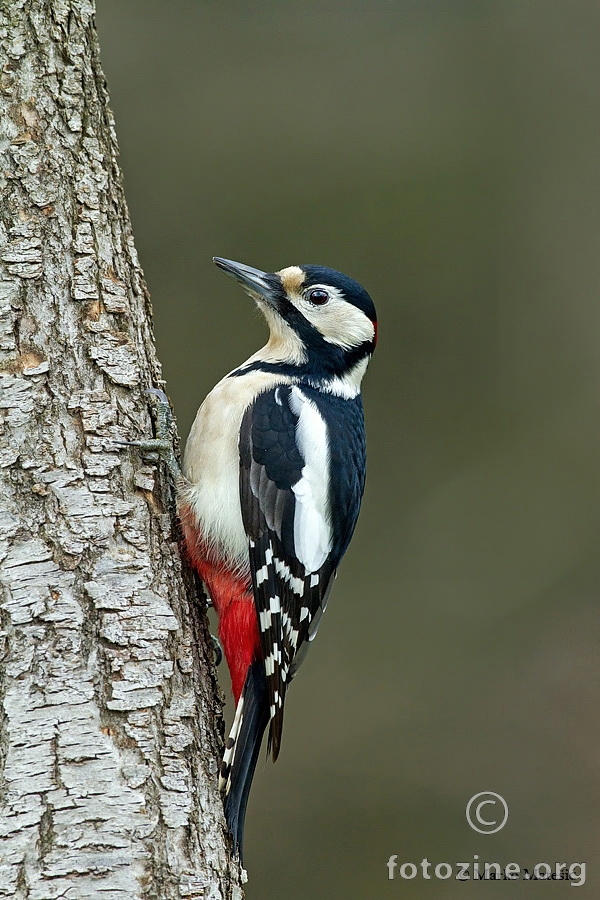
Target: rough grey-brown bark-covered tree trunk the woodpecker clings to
<point>110,721</point>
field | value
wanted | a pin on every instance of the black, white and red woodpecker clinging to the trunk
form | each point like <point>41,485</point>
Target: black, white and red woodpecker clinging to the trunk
<point>274,471</point>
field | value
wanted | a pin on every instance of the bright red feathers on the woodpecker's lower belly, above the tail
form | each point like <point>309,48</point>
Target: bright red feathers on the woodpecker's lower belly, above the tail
<point>232,599</point>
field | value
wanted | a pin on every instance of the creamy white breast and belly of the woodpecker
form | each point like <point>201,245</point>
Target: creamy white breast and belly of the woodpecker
<point>211,463</point>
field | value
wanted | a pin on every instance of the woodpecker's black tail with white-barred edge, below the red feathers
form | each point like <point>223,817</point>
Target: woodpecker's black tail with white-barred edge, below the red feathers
<point>243,747</point>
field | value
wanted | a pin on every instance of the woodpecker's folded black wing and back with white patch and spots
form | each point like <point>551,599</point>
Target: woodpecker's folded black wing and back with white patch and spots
<point>300,491</point>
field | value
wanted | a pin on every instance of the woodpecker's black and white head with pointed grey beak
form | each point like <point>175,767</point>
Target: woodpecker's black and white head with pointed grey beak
<point>321,321</point>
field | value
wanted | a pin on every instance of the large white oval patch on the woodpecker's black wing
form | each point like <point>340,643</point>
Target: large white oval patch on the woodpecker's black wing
<point>312,531</point>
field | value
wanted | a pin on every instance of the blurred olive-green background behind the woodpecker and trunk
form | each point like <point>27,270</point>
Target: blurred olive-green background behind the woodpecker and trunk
<point>446,155</point>
